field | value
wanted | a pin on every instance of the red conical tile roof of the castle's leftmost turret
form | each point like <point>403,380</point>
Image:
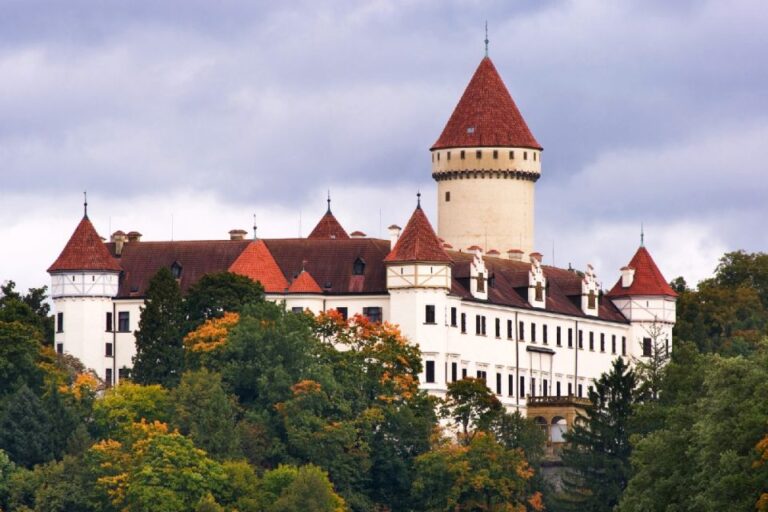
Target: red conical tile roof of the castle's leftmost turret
<point>85,251</point>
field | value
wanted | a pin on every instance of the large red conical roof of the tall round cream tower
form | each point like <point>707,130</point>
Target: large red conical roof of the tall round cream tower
<point>486,115</point>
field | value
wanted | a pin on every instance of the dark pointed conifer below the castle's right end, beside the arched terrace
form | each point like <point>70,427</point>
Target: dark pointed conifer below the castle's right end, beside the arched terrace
<point>598,450</point>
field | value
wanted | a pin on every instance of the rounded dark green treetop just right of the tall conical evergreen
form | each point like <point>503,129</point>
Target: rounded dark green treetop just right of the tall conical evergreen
<point>218,293</point>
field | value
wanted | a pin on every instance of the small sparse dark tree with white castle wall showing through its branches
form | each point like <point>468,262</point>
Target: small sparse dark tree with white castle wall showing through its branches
<point>471,405</point>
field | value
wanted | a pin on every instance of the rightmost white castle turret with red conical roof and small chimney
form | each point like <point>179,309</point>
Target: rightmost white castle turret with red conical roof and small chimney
<point>647,300</point>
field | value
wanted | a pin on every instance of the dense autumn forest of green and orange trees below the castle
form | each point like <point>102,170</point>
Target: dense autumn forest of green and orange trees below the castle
<point>235,404</point>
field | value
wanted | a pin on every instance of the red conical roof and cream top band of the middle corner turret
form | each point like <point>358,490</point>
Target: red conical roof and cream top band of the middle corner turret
<point>418,259</point>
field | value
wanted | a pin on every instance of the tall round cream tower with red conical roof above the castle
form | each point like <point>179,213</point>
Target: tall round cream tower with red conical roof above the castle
<point>486,163</point>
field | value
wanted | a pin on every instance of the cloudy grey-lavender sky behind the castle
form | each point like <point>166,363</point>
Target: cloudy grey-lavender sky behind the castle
<point>185,118</point>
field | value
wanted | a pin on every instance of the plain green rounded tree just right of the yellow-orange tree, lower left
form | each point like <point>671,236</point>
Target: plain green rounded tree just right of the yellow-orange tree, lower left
<point>204,412</point>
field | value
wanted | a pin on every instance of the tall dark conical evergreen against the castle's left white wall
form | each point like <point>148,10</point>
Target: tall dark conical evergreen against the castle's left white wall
<point>159,355</point>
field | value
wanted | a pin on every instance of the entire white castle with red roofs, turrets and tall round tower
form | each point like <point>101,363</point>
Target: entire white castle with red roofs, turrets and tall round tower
<point>475,296</point>
